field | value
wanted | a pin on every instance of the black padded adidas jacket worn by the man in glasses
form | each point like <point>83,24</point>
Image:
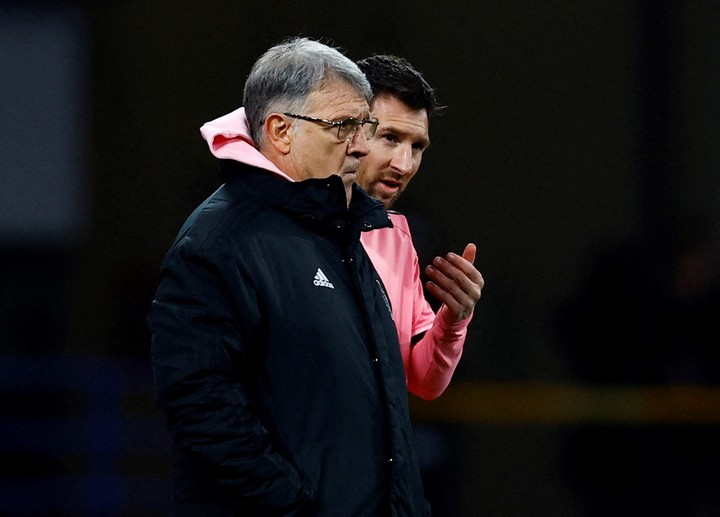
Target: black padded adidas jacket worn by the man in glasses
<point>276,359</point>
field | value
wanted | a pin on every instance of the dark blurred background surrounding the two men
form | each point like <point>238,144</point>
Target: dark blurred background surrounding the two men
<point>579,150</point>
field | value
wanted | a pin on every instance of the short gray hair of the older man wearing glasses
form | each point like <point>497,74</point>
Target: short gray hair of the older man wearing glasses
<point>285,75</point>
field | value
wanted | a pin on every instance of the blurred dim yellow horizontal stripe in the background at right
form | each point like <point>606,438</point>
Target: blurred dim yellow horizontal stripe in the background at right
<point>551,403</point>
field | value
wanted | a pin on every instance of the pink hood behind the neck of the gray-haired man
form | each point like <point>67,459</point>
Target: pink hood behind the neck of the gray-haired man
<point>228,137</point>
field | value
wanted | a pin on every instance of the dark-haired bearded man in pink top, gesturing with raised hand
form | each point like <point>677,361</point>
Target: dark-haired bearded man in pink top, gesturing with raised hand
<point>431,344</point>
